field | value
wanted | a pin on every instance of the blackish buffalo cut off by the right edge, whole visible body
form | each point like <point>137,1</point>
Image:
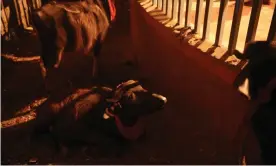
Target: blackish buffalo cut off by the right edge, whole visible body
<point>258,82</point>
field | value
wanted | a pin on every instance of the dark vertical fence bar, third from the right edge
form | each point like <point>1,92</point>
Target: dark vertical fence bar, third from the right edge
<point>235,26</point>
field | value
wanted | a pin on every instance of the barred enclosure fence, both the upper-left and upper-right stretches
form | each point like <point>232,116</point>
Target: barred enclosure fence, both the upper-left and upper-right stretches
<point>16,13</point>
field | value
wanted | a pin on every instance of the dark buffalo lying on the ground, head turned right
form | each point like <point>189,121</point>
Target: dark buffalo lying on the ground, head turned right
<point>89,114</point>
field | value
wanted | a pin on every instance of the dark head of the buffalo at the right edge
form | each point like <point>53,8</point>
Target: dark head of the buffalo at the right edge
<point>258,78</point>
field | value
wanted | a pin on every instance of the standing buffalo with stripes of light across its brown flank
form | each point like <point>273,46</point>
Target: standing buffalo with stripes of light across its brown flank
<point>72,26</point>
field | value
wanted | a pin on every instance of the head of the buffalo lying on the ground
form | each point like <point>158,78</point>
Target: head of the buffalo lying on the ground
<point>130,100</point>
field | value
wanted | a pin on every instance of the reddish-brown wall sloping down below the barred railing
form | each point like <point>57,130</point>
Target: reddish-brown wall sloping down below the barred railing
<point>203,83</point>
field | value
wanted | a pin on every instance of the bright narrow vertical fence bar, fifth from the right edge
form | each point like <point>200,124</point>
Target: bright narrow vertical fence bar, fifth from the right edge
<point>207,19</point>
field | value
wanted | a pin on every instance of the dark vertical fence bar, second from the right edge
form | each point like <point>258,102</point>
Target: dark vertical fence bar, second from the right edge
<point>254,19</point>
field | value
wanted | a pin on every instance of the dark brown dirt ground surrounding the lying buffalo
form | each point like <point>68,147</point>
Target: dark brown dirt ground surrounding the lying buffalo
<point>163,144</point>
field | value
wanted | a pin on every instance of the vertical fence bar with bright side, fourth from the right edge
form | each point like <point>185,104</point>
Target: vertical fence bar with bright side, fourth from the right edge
<point>221,22</point>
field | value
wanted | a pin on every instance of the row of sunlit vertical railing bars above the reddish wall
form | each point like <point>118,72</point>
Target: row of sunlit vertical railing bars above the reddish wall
<point>180,11</point>
